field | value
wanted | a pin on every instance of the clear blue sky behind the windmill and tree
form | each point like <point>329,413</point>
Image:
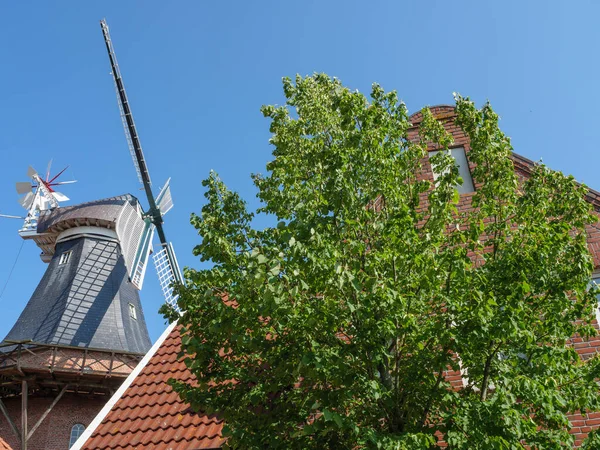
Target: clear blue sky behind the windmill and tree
<point>197,73</point>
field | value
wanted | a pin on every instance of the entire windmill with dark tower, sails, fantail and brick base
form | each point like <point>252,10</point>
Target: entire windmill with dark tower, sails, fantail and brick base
<point>83,330</point>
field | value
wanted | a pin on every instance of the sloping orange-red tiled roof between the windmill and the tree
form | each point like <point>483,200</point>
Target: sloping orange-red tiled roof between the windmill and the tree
<point>150,415</point>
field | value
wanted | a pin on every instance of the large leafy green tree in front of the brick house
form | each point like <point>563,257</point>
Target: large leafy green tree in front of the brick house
<point>333,329</point>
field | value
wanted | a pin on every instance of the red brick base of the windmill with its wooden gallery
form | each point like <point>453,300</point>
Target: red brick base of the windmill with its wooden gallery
<point>91,376</point>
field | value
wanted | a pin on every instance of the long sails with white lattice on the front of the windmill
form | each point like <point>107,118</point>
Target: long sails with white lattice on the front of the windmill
<point>165,260</point>
